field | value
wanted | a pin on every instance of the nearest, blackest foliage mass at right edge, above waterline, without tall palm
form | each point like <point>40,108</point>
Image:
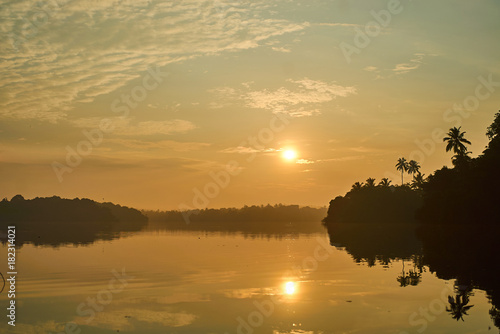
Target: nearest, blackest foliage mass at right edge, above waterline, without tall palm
<point>469,193</point>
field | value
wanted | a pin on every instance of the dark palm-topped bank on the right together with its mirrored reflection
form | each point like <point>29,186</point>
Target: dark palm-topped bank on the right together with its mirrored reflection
<point>448,222</point>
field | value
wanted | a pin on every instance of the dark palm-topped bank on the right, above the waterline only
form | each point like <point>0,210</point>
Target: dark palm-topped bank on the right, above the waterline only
<point>468,193</point>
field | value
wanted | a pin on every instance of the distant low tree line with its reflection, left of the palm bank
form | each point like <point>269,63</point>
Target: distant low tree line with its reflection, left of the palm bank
<point>56,221</point>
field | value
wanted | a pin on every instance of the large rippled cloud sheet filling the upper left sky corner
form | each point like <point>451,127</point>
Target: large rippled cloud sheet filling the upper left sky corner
<point>80,50</point>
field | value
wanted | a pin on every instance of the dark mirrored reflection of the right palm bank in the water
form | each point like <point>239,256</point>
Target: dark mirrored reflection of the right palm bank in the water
<point>463,253</point>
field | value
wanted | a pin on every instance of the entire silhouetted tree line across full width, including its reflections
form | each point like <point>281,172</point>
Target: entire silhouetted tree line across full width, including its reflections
<point>447,223</point>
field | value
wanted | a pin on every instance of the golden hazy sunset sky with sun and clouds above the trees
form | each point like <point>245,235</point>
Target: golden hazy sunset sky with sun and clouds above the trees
<point>193,104</point>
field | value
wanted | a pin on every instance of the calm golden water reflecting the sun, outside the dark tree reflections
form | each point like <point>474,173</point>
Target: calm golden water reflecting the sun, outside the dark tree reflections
<point>198,282</point>
